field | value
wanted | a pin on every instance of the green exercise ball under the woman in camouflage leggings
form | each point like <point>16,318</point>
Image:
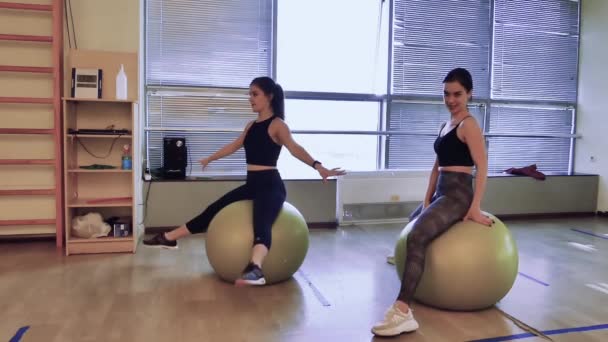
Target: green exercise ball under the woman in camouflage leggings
<point>469,267</point>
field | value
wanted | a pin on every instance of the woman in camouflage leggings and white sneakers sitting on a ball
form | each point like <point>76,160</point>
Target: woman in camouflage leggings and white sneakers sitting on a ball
<point>449,198</point>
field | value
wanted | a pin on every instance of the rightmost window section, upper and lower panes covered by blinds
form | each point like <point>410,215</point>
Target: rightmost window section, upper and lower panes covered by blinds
<point>534,72</point>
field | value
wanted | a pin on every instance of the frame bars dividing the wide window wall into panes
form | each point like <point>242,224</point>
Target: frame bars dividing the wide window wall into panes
<point>385,101</point>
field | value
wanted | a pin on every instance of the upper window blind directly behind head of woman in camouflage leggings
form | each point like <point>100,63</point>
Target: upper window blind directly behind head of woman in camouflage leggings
<point>434,36</point>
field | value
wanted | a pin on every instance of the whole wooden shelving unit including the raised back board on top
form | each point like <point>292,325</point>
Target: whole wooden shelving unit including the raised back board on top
<point>107,191</point>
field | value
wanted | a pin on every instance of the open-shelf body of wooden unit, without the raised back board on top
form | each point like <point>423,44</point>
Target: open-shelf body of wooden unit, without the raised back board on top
<point>109,192</point>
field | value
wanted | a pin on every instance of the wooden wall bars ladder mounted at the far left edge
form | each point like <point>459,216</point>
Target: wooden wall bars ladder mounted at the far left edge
<point>31,202</point>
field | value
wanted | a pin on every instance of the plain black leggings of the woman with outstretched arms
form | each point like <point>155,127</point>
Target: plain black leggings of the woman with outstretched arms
<point>267,191</point>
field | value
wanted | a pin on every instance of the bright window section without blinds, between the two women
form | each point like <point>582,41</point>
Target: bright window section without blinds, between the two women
<point>330,70</point>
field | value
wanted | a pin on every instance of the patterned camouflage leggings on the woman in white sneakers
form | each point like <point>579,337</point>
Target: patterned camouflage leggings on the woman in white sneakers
<point>450,203</point>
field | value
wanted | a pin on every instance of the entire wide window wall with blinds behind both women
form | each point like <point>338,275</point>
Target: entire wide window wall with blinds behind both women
<point>349,71</point>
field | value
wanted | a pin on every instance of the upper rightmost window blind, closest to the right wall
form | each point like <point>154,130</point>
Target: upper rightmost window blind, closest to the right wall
<point>535,50</point>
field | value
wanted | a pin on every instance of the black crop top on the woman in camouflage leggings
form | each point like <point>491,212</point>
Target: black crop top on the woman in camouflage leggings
<point>451,151</point>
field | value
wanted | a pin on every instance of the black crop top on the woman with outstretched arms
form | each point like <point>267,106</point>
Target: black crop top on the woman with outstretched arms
<point>260,149</point>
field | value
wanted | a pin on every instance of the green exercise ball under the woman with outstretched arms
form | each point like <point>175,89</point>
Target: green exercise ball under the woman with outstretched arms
<point>229,242</point>
